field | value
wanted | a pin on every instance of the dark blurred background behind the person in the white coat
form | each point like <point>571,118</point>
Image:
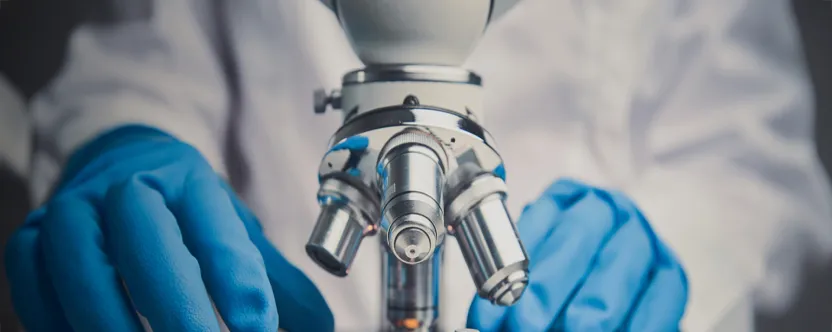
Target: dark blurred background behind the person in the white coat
<point>33,37</point>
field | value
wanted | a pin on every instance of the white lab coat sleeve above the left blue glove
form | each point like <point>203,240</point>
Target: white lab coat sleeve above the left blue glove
<point>160,70</point>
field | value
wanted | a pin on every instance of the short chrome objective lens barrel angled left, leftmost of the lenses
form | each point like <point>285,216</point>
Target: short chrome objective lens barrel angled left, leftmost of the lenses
<point>346,217</point>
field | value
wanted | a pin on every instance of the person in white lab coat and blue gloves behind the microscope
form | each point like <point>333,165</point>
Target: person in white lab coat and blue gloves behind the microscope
<point>663,150</point>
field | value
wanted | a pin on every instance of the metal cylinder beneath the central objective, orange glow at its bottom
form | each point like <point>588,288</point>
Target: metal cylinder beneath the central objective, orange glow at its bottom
<point>411,293</point>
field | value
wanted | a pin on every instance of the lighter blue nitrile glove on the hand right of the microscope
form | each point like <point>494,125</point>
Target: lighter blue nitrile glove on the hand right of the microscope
<point>595,265</point>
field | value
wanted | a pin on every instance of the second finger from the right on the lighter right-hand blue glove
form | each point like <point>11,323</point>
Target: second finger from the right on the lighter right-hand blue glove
<point>621,270</point>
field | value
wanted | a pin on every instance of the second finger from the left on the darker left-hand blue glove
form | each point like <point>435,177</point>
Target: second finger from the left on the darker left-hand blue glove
<point>86,283</point>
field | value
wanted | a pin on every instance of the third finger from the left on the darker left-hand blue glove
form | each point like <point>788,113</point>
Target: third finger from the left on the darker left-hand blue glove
<point>162,277</point>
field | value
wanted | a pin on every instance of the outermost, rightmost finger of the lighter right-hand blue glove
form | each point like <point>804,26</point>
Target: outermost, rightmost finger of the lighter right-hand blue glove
<point>662,305</point>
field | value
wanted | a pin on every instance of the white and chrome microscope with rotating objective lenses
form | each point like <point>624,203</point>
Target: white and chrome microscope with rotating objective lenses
<point>412,163</point>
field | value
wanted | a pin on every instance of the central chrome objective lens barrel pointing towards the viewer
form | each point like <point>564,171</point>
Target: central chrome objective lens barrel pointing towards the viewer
<point>412,180</point>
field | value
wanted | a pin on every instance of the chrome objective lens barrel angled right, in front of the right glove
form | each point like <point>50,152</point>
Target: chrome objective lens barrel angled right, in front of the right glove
<point>478,218</point>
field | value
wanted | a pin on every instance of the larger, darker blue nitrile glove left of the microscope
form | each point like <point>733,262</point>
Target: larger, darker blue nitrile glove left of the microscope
<point>140,207</point>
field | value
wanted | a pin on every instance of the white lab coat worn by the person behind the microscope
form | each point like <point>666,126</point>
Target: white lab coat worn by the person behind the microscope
<point>700,110</point>
